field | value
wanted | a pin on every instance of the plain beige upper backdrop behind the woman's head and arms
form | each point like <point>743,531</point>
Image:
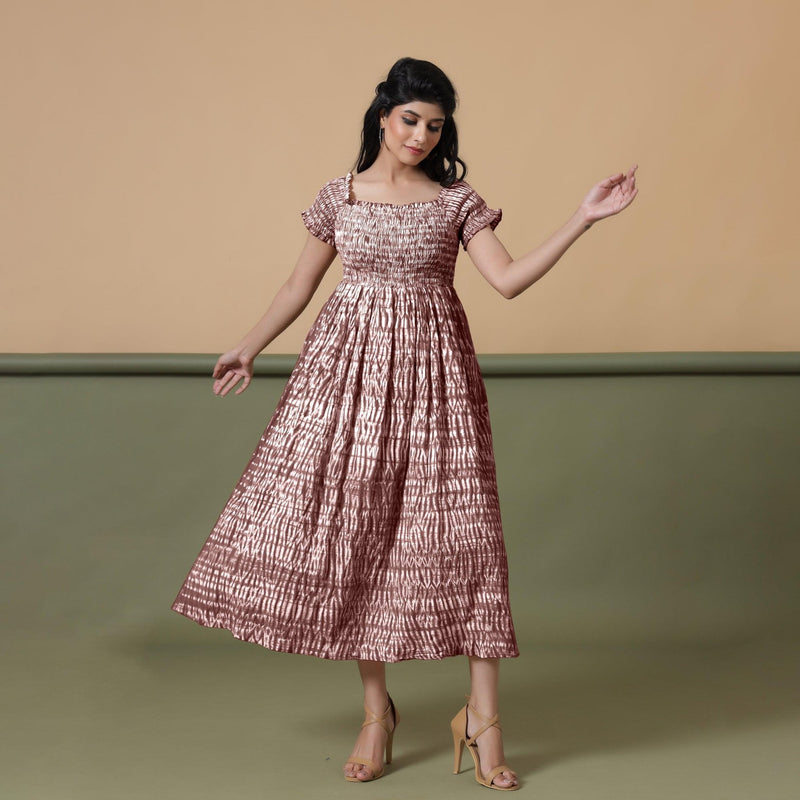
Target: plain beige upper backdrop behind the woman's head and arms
<point>156,155</point>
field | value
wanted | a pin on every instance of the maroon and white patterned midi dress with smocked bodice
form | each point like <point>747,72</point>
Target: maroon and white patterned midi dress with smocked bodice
<point>366,524</point>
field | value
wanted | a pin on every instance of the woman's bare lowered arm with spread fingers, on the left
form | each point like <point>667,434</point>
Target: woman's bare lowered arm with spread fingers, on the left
<point>289,302</point>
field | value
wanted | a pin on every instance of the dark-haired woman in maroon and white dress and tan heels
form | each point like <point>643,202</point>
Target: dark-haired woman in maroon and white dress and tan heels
<point>366,525</point>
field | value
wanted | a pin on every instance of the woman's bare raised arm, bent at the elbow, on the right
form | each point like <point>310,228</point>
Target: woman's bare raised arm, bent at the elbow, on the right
<point>512,277</point>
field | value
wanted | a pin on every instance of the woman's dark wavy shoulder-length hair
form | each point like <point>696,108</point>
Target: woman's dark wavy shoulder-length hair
<point>411,79</point>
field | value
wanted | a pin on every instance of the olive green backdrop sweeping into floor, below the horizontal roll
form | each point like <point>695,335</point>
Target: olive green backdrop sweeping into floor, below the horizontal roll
<point>652,529</point>
